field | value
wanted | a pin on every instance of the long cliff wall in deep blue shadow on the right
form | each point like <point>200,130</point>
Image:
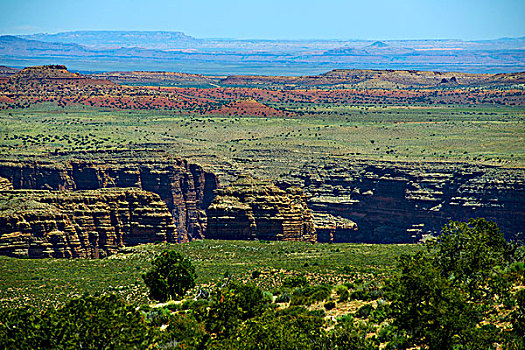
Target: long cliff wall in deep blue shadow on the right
<point>400,201</point>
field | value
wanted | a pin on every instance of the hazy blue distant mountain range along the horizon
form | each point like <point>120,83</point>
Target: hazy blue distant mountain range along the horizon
<point>177,52</point>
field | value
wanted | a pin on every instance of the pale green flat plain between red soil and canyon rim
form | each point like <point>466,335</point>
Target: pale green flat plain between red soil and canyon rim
<point>273,146</point>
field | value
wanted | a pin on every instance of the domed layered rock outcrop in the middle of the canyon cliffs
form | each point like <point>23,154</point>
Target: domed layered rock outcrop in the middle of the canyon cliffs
<point>254,209</point>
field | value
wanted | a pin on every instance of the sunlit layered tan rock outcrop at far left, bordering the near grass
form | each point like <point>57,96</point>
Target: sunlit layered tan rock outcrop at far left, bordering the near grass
<point>80,224</point>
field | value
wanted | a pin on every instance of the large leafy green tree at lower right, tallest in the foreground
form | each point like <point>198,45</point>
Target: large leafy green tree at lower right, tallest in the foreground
<point>443,297</point>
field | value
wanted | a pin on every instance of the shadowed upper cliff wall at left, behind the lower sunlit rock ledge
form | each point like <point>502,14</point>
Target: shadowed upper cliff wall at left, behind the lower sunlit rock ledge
<point>185,188</point>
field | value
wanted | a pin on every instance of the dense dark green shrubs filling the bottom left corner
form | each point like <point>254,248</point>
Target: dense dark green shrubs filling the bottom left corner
<point>104,322</point>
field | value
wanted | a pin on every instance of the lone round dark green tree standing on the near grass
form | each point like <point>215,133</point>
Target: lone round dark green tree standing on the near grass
<point>170,276</point>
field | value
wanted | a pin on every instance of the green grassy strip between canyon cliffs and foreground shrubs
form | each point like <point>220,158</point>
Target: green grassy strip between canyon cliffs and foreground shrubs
<point>44,282</point>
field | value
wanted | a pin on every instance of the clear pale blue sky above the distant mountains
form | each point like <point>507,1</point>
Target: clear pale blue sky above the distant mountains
<point>274,19</point>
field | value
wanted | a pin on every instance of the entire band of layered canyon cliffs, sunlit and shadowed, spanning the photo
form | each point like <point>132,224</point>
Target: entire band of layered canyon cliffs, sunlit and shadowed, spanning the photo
<point>71,205</point>
